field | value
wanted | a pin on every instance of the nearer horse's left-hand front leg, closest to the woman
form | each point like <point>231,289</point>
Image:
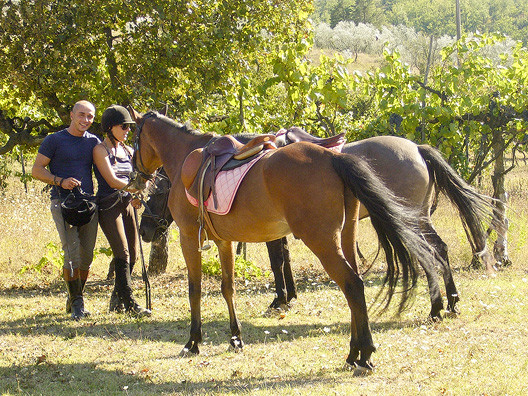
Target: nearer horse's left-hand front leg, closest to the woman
<point>193,260</point>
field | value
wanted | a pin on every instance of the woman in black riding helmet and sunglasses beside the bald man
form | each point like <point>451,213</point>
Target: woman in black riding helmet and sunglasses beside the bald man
<point>113,160</point>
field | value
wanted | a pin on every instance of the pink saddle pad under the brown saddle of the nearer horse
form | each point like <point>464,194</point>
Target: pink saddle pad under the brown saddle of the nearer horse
<point>226,185</point>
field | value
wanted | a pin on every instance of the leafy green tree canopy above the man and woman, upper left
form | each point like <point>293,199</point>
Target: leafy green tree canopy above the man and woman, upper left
<point>191,55</point>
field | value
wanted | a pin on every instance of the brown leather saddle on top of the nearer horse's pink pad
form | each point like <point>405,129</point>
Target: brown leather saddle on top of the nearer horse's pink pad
<point>202,165</point>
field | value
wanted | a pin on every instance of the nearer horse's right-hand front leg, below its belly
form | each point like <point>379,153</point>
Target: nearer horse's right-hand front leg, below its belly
<point>227,259</point>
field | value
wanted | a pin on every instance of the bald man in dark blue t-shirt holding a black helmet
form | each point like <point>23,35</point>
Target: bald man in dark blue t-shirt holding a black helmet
<point>64,160</point>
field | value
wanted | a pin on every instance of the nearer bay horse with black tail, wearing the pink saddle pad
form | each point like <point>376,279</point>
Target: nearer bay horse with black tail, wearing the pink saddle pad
<point>302,189</point>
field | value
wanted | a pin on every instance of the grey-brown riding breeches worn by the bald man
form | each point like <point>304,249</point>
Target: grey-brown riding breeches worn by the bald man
<point>77,242</point>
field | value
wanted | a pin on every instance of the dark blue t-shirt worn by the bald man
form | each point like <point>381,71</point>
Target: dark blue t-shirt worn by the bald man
<point>70,156</point>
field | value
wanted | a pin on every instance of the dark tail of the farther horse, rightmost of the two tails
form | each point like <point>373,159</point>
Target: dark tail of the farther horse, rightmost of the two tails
<point>472,206</point>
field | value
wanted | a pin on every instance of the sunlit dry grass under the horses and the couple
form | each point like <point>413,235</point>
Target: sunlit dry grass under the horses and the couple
<point>482,352</point>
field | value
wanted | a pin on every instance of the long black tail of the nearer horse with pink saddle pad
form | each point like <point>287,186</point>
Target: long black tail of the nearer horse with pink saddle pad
<point>397,227</point>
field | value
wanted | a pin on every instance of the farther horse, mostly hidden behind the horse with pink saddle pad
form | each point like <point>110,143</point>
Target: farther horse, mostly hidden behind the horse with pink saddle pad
<point>413,173</point>
